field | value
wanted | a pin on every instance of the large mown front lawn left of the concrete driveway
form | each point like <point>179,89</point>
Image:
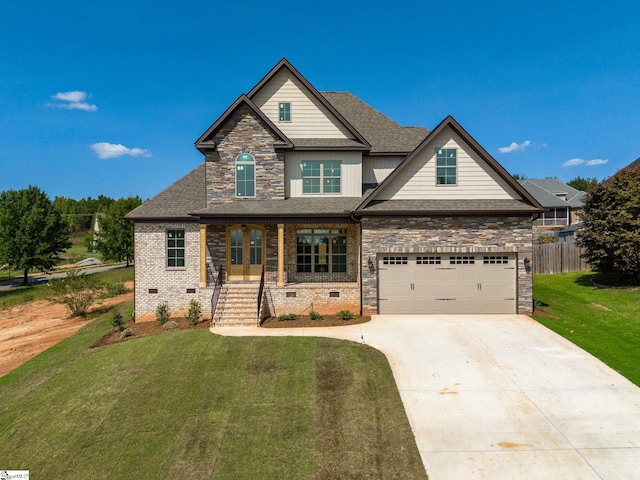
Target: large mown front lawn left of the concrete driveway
<point>189,404</point>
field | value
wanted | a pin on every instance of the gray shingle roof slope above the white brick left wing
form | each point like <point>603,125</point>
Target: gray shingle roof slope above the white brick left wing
<point>176,201</point>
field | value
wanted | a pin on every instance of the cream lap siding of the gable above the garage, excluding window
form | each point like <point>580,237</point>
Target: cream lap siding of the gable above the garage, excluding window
<point>475,179</point>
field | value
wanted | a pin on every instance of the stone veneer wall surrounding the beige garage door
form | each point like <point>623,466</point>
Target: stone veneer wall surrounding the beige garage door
<point>446,234</point>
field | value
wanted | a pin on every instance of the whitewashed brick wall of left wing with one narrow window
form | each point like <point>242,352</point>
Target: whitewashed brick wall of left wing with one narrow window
<point>172,284</point>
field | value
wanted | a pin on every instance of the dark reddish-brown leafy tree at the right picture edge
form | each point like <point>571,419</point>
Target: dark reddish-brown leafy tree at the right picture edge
<point>611,231</point>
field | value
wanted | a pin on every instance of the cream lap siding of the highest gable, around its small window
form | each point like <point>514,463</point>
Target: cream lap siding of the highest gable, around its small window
<point>309,118</point>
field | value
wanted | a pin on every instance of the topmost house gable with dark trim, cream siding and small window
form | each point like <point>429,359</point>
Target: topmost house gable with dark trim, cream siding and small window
<point>301,112</point>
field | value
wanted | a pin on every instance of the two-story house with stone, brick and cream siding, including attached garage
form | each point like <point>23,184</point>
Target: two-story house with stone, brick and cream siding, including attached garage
<point>309,200</point>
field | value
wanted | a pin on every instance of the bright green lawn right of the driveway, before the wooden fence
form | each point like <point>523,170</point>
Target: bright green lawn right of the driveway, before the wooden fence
<point>602,321</point>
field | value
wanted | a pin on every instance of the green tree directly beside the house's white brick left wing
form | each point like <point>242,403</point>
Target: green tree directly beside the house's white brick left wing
<point>115,240</point>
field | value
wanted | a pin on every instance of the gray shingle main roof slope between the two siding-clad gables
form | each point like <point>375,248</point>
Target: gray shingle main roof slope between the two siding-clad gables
<point>384,135</point>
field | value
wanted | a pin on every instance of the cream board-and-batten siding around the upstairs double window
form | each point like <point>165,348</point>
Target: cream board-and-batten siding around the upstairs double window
<point>350,172</point>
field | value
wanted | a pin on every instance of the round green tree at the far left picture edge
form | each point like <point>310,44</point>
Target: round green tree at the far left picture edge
<point>32,232</point>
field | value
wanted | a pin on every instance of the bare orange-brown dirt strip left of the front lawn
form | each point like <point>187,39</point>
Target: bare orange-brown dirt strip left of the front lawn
<point>29,329</point>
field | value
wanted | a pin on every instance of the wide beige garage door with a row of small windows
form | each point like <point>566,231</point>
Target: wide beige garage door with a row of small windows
<point>447,283</point>
